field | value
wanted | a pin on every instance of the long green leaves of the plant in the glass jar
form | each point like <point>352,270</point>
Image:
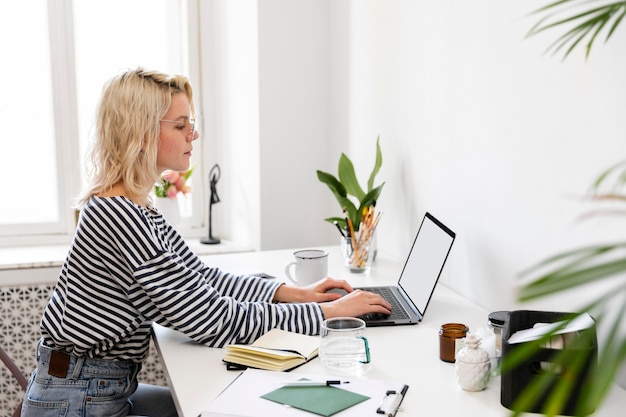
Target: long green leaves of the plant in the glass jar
<point>352,198</point>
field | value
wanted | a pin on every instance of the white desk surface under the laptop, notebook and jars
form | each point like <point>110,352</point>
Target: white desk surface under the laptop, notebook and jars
<point>407,354</point>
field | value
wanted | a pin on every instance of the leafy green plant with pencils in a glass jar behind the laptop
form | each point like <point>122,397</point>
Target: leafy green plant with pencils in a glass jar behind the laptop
<point>359,220</point>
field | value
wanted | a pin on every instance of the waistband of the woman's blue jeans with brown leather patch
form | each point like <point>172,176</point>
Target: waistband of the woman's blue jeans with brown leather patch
<point>82,367</point>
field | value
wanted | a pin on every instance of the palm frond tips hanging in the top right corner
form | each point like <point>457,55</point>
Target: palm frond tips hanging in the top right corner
<point>583,21</point>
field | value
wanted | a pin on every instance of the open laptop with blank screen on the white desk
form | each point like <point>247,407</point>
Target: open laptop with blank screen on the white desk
<point>419,277</point>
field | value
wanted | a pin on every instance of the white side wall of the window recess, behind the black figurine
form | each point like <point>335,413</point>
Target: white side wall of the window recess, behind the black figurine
<point>230,135</point>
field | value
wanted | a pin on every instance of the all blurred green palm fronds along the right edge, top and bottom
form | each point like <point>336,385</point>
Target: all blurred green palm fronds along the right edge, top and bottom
<point>584,21</point>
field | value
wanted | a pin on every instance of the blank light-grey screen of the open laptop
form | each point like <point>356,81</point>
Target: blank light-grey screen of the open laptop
<point>425,261</point>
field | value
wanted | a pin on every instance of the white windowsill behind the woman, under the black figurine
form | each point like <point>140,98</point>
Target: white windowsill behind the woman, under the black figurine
<point>52,256</point>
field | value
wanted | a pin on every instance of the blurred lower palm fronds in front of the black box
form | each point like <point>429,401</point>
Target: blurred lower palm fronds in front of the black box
<point>590,265</point>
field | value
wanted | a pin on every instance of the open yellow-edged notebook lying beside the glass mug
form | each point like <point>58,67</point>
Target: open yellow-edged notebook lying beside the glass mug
<point>276,350</point>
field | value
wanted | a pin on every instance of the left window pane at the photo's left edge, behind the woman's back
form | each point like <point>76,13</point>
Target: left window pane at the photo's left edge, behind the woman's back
<point>26,112</point>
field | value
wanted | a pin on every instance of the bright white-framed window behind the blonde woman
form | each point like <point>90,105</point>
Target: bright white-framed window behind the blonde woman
<point>60,61</point>
